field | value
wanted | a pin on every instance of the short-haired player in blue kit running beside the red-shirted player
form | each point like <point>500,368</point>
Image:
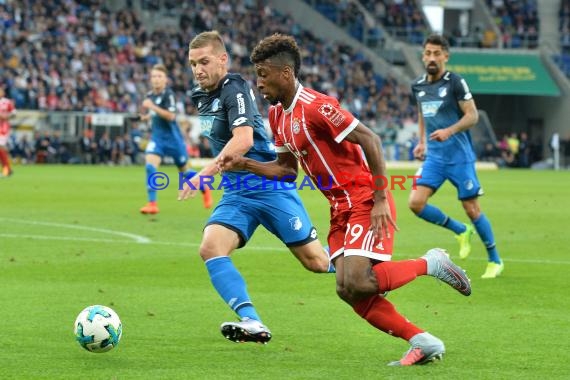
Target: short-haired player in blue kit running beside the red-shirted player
<point>230,119</point>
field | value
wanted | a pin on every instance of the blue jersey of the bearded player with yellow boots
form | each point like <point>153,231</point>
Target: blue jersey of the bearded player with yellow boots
<point>439,104</point>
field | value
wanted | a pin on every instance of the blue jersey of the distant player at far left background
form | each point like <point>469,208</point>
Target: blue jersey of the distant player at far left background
<point>162,129</point>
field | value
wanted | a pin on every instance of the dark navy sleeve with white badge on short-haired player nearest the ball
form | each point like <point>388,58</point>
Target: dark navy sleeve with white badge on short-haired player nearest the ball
<point>238,100</point>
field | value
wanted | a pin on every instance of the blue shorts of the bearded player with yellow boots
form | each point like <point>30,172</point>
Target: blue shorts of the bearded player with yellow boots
<point>462,176</point>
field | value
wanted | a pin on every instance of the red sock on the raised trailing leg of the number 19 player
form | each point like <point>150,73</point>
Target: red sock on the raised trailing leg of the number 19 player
<point>393,274</point>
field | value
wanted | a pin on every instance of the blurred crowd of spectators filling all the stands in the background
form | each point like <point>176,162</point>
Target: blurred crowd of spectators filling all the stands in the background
<point>80,56</point>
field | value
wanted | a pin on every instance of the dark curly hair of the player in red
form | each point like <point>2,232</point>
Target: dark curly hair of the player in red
<point>280,49</point>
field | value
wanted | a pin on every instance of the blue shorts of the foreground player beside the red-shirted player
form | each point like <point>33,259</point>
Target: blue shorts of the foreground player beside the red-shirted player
<point>280,212</point>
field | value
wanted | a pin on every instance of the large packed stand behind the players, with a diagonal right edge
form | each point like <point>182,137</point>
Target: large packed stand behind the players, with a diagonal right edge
<point>88,58</point>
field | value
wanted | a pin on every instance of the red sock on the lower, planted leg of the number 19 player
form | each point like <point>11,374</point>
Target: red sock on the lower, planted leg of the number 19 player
<point>380,313</point>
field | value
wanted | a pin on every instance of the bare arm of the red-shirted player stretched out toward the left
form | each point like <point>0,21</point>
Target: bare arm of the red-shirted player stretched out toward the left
<point>284,167</point>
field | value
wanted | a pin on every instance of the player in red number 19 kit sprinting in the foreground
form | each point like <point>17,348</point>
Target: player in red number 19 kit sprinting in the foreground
<point>330,143</point>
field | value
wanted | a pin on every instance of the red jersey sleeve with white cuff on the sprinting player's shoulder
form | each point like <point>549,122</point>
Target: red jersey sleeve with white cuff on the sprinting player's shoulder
<point>331,118</point>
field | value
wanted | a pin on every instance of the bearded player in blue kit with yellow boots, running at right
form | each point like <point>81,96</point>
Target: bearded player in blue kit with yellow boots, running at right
<point>446,112</point>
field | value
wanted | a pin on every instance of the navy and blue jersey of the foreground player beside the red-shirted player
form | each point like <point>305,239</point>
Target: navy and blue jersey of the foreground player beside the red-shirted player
<point>232,105</point>
